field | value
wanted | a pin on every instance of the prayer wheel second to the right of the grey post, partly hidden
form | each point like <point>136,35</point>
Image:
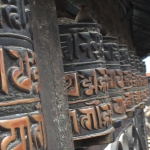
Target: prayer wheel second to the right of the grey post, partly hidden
<point>115,74</point>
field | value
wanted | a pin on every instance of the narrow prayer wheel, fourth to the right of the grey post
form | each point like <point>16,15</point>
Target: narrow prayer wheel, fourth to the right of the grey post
<point>135,80</point>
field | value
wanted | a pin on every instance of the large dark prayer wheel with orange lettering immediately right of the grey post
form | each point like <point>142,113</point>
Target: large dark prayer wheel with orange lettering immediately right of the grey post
<point>86,80</point>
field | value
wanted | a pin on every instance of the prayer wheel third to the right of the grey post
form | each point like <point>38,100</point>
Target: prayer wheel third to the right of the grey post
<point>127,79</point>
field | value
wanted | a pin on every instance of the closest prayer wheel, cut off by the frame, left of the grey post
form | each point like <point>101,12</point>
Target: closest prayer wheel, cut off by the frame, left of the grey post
<point>21,119</point>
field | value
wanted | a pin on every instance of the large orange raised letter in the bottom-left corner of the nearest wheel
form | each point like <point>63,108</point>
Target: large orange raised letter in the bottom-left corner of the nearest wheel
<point>21,124</point>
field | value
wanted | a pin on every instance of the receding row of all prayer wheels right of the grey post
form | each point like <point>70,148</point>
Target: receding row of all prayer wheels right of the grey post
<point>105,81</point>
